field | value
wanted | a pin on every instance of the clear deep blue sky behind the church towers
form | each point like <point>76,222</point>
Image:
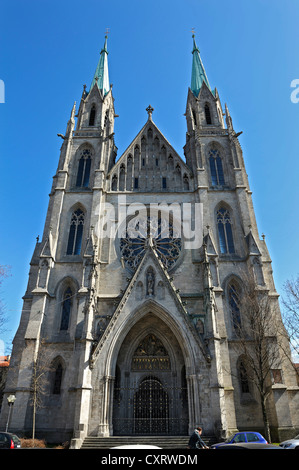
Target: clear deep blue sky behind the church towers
<point>49,49</point>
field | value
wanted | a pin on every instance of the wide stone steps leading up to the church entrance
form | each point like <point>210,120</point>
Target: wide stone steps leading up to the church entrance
<point>165,442</point>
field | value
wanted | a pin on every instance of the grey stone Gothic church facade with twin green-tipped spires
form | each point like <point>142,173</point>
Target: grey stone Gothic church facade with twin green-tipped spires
<point>131,299</point>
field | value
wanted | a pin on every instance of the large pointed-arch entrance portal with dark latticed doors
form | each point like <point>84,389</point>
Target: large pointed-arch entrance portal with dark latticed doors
<point>150,388</point>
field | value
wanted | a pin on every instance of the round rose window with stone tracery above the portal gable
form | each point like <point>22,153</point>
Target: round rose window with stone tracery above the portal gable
<point>159,231</point>
